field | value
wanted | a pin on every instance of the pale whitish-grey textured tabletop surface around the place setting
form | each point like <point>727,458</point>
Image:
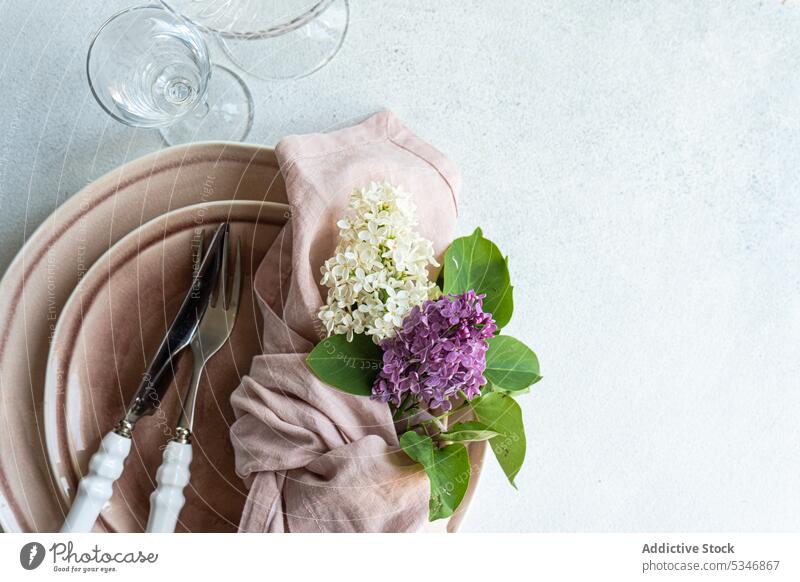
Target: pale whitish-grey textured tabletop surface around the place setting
<point>638,161</point>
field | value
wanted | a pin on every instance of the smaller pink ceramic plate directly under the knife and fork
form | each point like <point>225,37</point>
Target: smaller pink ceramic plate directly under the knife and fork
<point>108,329</point>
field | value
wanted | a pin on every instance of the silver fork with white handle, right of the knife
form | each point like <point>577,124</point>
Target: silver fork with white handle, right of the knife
<point>215,328</point>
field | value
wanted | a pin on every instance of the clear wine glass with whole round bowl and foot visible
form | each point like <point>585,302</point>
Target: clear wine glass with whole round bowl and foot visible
<point>148,67</point>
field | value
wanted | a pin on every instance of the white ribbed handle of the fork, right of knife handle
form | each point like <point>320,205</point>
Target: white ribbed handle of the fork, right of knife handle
<point>172,476</point>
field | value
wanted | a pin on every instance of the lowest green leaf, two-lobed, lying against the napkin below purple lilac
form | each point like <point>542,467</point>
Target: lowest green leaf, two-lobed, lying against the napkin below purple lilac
<point>448,471</point>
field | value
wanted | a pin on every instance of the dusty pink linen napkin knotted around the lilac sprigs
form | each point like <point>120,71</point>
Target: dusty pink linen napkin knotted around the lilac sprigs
<point>316,459</point>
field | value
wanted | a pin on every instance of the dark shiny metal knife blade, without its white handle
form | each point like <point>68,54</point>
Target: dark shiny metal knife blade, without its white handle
<point>157,378</point>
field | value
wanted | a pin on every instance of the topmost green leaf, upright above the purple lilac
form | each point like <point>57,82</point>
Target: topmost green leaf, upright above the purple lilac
<point>473,262</point>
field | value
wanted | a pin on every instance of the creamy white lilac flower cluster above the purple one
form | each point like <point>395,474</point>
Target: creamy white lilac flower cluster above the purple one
<point>380,268</point>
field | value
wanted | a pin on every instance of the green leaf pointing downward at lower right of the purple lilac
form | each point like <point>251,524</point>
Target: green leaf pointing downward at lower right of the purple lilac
<point>500,413</point>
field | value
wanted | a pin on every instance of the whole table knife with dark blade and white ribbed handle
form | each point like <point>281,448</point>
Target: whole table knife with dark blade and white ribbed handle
<point>106,465</point>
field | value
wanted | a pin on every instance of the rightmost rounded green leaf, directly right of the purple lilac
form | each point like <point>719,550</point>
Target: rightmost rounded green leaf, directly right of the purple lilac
<point>510,364</point>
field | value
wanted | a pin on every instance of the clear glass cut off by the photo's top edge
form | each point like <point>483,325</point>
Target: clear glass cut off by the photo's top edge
<point>272,39</point>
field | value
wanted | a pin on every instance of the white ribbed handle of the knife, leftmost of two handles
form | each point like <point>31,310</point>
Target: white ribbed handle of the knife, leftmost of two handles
<point>96,487</point>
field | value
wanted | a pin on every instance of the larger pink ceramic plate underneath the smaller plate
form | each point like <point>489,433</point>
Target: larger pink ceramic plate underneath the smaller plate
<point>47,269</point>
